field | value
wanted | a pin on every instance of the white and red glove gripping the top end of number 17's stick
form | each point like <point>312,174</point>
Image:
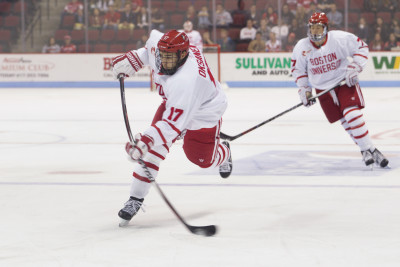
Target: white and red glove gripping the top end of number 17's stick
<point>126,64</point>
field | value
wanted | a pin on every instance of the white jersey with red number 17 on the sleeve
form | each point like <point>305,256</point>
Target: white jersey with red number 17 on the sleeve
<point>194,99</point>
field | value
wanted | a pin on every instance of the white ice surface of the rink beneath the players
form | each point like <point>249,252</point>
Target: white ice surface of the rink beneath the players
<point>299,194</point>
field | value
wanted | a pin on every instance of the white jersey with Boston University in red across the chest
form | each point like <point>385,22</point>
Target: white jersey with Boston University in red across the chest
<point>324,67</point>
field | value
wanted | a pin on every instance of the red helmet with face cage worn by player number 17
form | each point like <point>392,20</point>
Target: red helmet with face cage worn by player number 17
<point>172,42</point>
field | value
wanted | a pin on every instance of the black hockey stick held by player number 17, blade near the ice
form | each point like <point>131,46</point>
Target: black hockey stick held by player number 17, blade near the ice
<point>208,230</point>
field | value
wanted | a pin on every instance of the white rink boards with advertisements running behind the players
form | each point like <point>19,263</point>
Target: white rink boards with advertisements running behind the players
<point>237,70</point>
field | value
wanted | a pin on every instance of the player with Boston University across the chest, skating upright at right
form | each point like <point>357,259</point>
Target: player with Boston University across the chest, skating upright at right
<point>322,61</point>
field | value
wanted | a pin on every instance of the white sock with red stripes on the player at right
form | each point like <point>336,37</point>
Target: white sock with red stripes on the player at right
<point>358,128</point>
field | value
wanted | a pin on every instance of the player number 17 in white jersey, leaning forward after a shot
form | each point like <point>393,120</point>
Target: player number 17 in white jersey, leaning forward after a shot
<point>192,108</point>
